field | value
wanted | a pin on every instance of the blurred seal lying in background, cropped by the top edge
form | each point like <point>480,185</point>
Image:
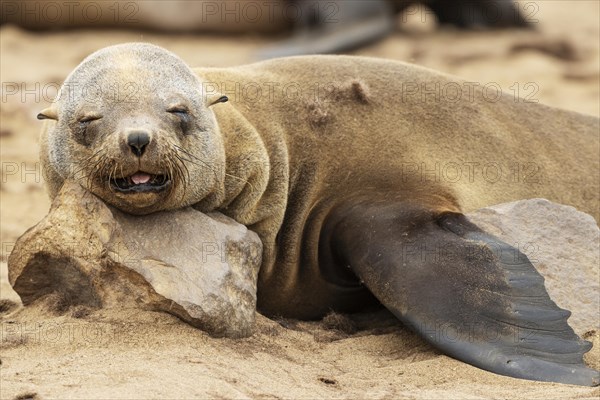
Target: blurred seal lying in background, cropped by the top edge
<point>314,26</point>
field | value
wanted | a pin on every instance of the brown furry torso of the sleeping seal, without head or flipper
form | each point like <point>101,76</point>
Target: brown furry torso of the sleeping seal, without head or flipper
<point>335,127</point>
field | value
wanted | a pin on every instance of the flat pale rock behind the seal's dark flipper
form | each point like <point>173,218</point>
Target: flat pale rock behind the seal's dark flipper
<point>564,246</point>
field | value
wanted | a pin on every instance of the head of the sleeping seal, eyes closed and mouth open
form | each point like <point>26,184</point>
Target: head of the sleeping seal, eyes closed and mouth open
<point>133,127</point>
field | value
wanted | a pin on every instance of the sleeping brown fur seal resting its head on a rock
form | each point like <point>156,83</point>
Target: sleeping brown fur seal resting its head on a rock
<point>348,169</point>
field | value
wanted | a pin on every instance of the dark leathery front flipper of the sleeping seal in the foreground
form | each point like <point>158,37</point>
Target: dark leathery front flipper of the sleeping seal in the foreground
<point>471,295</point>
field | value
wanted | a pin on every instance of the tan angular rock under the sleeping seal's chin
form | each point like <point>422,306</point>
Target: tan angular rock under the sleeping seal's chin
<point>201,268</point>
